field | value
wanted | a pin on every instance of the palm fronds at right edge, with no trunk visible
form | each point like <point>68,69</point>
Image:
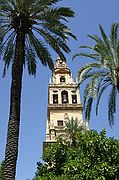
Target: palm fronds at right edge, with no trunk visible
<point>103,73</point>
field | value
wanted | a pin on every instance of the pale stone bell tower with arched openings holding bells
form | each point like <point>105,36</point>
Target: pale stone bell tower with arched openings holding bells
<point>63,101</point>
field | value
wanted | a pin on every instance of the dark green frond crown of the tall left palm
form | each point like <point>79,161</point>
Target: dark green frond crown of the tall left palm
<point>43,25</point>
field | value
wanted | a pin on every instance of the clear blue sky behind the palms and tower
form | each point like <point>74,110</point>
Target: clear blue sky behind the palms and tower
<point>89,14</point>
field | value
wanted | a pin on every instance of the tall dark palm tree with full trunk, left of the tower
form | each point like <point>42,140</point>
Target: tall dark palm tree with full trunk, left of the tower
<point>29,28</point>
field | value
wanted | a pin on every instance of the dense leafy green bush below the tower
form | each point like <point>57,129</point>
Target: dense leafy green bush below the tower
<point>94,157</point>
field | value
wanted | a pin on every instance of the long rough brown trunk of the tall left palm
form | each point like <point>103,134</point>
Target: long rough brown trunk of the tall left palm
<point>11,152</point>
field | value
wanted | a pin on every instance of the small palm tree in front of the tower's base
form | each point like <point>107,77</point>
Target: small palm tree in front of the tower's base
<point>72,126</point>
